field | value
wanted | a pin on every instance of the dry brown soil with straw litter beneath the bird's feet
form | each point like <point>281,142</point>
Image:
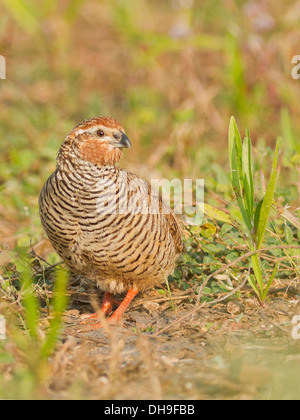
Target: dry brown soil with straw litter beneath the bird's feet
<point>232,350</point>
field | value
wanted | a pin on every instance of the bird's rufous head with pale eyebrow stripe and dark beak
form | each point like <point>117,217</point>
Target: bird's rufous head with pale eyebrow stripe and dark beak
<point>99,140</point>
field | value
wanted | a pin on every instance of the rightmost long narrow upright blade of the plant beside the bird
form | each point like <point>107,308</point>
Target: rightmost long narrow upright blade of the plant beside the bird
<point>267,201</point>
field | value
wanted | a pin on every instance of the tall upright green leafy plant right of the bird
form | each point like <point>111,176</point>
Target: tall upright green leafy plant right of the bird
<point>253,214</point>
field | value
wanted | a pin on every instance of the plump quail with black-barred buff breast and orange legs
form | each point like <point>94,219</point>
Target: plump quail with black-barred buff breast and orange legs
<point>105,222</point>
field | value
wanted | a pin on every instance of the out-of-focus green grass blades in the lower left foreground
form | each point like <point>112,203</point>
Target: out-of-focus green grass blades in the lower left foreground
<point>32,345</point>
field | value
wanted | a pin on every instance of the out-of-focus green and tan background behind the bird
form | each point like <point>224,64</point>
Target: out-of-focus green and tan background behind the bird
<point>171,72</point>
